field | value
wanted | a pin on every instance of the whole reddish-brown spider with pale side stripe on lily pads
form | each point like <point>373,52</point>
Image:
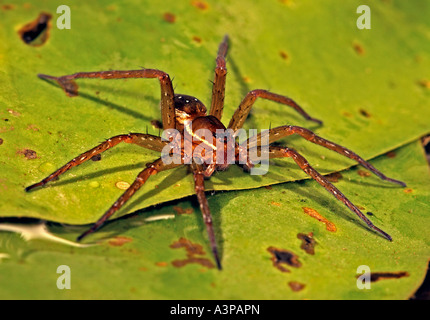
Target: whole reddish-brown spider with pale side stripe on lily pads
<point>187,114</point>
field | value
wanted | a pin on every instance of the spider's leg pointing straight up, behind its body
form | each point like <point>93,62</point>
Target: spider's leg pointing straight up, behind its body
<point>218,89</point>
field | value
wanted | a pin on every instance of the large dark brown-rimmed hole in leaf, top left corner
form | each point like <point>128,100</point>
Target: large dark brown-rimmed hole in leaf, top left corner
<point>36,32</point>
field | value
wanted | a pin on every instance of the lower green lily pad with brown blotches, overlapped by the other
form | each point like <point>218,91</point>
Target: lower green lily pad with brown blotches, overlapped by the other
<point>163,253</point>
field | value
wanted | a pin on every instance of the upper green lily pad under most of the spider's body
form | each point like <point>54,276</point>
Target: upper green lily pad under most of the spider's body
<point>368,88</point>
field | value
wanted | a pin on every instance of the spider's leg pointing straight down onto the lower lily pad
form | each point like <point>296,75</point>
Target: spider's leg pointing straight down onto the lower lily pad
<point>199,187</point>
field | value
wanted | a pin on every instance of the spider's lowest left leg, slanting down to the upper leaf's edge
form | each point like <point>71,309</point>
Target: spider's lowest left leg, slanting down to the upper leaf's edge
<point>141,178</point>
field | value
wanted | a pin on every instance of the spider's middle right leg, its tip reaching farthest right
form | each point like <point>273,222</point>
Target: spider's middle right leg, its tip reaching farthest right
<point>283,131</point>
